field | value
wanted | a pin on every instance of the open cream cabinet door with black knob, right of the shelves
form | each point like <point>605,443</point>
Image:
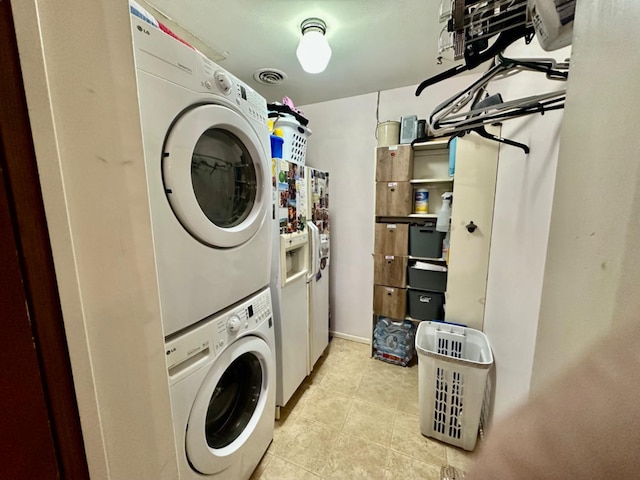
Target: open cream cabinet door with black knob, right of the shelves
<point>473,198</point>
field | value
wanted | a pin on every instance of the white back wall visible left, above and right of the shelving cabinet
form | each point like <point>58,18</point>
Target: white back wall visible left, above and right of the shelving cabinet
<point>343,142</point>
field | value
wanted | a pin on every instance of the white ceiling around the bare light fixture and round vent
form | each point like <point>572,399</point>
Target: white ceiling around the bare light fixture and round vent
<point>377,44</point>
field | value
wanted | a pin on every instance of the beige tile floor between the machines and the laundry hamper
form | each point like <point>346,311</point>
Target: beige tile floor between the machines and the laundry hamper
<point>355,418</point>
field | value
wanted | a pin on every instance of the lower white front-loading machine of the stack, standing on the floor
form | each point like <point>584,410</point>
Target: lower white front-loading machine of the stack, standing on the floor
<point>222,382</point>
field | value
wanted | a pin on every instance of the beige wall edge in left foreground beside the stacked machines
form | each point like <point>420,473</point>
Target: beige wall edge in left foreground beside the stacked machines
<point>79,78</point>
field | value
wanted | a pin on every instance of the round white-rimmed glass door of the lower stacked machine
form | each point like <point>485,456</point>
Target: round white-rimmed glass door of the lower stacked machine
<point>229,405</point>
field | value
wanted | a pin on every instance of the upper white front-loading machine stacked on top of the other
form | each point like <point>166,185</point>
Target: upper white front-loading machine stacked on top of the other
<point>207,155</point>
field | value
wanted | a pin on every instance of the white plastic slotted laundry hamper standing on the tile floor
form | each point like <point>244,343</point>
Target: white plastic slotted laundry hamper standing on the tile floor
<point>453,368</point>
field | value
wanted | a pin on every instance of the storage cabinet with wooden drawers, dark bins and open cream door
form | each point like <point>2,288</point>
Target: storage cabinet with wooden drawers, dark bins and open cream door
<point>414,275</point>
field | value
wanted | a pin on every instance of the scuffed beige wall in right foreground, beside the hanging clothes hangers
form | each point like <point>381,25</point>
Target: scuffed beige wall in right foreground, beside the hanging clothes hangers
<point>592,271</point>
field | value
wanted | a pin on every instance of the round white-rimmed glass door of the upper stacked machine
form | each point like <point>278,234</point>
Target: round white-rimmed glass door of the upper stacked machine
<point>214,176</point>
